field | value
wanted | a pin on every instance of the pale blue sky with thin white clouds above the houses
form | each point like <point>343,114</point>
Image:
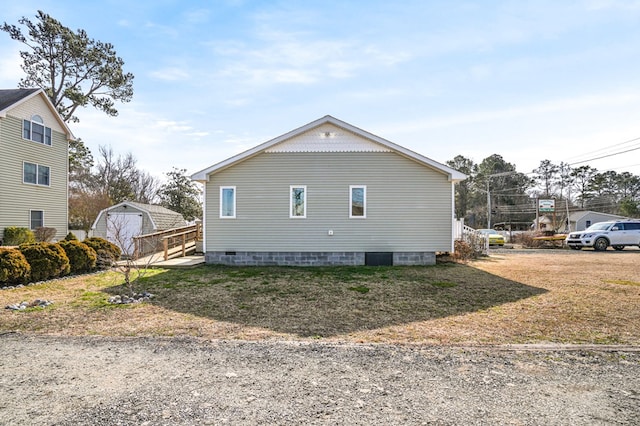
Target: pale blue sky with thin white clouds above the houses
<point>530,81</point>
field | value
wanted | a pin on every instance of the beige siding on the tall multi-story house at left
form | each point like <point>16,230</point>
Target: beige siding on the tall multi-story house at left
<point>18,198</point>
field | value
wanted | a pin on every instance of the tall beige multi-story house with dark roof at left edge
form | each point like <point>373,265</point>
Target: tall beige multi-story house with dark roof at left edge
<point>34,152</point>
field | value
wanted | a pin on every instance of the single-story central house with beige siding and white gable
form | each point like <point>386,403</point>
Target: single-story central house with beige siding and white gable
<point>358,195</point>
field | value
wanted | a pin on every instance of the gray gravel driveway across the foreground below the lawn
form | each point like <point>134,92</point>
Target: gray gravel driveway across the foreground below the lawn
<point>70,381</point>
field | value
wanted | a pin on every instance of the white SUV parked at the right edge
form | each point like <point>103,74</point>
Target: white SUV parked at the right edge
<point>617,234</point>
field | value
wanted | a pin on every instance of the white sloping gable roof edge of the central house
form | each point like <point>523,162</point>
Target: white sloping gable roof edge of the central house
<point>454,175</point>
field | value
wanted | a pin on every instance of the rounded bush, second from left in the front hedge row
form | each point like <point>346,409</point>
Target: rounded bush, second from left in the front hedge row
<point>47,260</point>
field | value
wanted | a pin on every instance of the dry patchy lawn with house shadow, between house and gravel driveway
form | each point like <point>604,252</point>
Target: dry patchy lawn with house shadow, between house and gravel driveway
<point>550,297</point>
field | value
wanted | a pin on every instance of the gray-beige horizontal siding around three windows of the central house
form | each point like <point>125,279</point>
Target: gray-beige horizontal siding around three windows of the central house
<point>408,207</point>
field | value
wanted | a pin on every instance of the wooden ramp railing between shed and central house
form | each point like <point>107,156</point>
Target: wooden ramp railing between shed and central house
<point>170,242</point>
